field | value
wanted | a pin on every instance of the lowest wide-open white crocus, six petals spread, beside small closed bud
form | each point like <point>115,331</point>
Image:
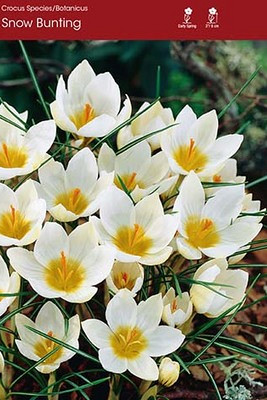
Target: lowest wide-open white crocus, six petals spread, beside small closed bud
<point>132,336</point>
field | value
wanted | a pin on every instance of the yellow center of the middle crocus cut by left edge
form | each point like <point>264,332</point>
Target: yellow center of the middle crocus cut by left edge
<point>13,224</point>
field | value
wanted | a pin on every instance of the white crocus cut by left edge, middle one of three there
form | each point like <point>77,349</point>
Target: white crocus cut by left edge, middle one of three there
<point>21,214</point>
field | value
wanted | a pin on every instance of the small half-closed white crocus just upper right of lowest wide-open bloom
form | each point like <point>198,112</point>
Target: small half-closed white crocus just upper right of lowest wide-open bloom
<point>176,310</point>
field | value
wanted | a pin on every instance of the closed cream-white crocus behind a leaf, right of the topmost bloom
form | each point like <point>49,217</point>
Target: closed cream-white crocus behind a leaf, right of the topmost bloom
<point>154,119</point>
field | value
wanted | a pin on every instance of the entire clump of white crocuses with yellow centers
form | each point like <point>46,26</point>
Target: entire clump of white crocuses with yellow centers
<point>133,234</point>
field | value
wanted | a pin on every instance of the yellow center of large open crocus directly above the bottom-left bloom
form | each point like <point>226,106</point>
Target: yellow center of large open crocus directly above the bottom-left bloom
<point>64,274</point>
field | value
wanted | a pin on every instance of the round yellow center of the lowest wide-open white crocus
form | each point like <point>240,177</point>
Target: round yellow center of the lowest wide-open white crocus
<point>128,342</point>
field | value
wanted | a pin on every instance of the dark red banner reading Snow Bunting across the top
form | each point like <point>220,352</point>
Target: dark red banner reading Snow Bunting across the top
<point>93,19</point>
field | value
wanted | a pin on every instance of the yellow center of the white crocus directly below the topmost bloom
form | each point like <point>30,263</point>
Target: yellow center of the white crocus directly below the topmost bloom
<point>73,201</point>
